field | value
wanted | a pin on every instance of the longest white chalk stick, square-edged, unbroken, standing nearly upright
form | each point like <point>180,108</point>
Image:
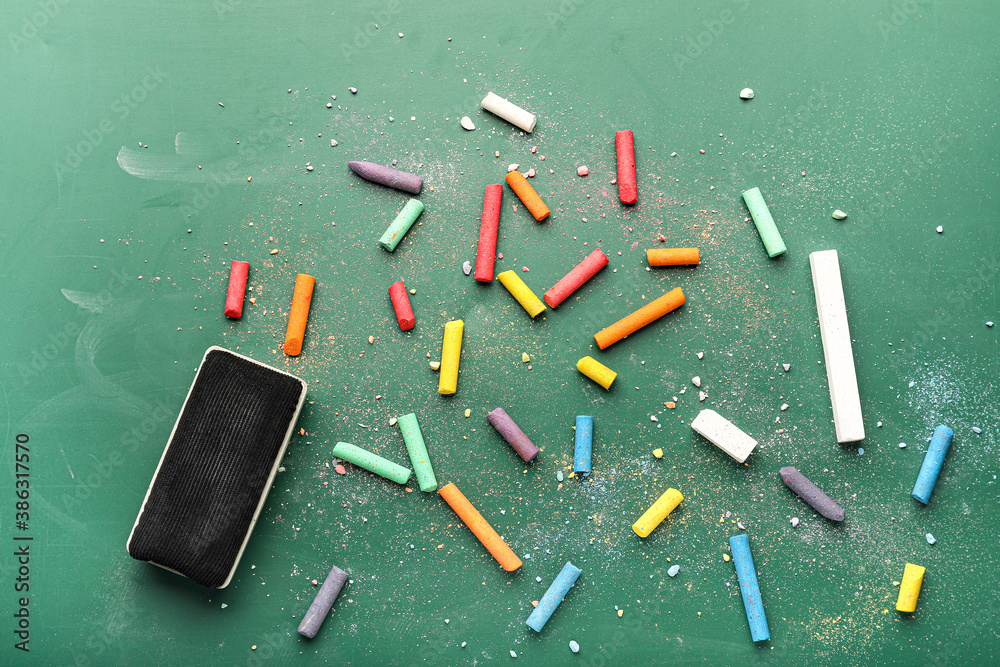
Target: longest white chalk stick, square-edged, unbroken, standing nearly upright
<point>837,351</point>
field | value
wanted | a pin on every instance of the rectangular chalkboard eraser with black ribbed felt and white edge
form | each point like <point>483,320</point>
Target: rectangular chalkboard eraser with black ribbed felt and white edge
<point>217,468</point>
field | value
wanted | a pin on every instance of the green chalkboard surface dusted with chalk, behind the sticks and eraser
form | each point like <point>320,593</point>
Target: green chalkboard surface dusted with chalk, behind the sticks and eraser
<point>146,145</point>
